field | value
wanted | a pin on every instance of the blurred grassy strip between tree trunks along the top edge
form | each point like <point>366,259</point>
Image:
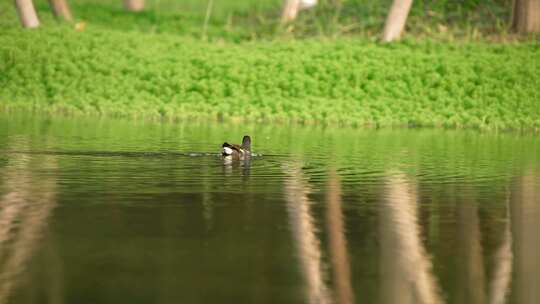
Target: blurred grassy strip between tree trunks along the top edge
<point>242,20</point>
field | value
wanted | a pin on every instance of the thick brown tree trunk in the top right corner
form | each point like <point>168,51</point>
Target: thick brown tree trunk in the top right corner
<point>526,16</point>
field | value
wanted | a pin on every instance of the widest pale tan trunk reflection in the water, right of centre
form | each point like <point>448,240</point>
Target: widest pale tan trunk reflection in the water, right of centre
<point>406,275</point>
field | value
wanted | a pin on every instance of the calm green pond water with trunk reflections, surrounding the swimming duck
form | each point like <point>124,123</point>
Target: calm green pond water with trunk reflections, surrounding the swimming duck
<point>100,211</point>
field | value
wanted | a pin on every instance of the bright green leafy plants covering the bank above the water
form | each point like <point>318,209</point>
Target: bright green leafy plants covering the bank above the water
<point>155,65</point>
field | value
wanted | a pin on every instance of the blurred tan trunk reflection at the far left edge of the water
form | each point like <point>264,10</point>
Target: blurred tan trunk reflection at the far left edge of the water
<point>25,206</point>
